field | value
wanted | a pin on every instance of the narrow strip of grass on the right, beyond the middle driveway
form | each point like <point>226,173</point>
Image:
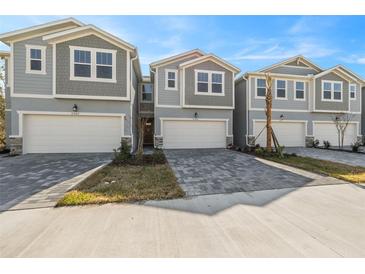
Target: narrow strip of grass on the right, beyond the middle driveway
<point>340,171</point>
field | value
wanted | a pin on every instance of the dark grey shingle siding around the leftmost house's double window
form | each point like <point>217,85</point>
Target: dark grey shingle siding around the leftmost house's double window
<point>65,86</point>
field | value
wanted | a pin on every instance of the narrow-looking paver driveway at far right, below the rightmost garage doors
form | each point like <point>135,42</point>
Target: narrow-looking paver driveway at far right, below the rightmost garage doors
<point>353,159</point>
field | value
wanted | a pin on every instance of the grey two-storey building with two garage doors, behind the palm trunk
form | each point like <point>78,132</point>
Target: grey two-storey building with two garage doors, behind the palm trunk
<point>306,98</point>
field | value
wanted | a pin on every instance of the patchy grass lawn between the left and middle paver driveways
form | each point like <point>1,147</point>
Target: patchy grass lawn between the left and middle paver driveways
<point>125,183</point>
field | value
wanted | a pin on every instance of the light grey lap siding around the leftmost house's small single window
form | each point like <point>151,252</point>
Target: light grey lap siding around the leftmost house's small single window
<point>29,83</point>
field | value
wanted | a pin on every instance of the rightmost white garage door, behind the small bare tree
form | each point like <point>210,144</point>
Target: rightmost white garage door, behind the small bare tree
<point>328,132</point>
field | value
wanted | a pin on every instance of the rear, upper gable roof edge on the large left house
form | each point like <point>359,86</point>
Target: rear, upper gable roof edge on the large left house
<point>43,28</point>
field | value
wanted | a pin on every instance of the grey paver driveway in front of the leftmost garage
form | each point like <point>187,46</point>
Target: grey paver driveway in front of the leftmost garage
<point>25,175</point>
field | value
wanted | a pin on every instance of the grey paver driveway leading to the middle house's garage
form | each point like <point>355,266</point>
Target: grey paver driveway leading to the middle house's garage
<point>212,171</point>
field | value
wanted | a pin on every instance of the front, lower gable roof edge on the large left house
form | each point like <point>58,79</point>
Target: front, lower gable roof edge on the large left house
<point>88,30</point>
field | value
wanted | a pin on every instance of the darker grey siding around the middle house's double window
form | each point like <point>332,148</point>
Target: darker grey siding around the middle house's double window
<point>208,100</point>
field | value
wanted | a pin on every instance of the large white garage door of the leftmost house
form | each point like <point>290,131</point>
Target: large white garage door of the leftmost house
<point>67,134</point>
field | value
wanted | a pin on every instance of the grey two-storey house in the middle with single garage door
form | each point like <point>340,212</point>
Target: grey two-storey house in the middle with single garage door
<point>193,101</point>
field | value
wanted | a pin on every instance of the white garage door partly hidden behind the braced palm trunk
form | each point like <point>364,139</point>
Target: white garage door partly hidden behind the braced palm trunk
<point>289,134</point>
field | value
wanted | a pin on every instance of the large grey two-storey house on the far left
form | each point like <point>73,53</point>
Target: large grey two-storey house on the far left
<point>70,87</point>
